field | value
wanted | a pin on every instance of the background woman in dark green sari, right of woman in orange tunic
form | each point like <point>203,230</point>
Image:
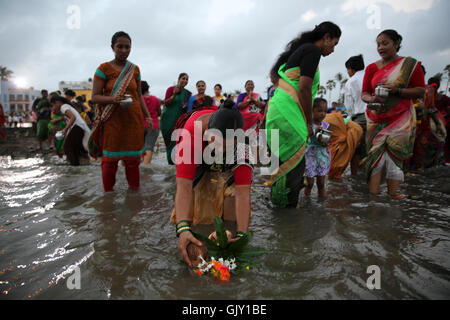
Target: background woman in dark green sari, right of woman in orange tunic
<point>175,104</point>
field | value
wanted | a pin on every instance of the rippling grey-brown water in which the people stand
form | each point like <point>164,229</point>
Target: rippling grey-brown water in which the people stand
<point>54,217</point>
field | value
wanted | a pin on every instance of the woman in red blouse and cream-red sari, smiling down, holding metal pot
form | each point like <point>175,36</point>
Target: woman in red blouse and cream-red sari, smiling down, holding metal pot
<point>391,117</point>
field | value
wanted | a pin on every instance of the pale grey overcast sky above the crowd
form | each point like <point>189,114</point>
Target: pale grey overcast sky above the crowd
<point>219,41</point>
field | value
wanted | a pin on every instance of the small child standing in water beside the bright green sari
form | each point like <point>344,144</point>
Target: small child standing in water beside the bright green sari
<point>318,156</point>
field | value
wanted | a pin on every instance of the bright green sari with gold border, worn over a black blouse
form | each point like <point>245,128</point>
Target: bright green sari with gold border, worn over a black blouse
<point>287,118</point>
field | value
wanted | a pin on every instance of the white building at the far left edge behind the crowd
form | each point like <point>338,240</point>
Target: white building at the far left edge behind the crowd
<point>15,99</point>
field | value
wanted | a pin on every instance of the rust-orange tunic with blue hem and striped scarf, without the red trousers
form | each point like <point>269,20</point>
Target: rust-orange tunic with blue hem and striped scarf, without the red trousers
<point>113,136</point>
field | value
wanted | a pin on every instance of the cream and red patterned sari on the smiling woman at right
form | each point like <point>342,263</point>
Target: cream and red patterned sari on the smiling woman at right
<point>392,129</point>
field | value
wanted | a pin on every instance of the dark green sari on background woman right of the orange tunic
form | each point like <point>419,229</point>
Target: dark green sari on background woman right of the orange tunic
<point>170,116</point>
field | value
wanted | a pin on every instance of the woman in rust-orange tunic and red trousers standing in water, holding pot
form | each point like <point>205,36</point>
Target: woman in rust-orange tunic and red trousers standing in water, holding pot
<point>122,128</point>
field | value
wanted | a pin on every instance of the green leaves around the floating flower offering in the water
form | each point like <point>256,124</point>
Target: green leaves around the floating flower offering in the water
<point>239,250</point>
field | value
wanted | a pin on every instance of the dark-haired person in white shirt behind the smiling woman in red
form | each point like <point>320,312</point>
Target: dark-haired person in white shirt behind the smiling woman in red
<point>356,108</point>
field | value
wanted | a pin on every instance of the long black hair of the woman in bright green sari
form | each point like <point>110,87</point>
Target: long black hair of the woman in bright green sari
<point>307,37</point>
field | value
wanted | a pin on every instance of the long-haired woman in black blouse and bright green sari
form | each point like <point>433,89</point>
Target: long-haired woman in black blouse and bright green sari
<point>289,118</point>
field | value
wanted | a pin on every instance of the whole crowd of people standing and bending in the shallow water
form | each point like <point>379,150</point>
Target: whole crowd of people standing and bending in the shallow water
<point>390,122</point>
